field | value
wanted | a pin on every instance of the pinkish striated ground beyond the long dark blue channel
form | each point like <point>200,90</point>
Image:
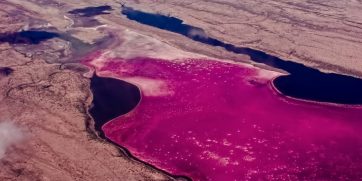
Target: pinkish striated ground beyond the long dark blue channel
<point>323,34</point>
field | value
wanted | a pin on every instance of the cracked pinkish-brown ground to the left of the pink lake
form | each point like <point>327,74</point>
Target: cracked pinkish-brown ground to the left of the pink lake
<point>49,104</point>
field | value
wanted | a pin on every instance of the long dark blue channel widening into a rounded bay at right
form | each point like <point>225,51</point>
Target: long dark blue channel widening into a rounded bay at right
<point>303,82</point>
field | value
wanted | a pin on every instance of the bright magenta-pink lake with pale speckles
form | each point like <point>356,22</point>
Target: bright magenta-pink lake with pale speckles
<point>211,120</point>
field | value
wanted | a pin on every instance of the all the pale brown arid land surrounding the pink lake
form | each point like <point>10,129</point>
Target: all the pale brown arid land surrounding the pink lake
<point>46,93</point>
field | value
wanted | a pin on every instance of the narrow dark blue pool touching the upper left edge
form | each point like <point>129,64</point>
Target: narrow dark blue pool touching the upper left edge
<point>27,37</point>
